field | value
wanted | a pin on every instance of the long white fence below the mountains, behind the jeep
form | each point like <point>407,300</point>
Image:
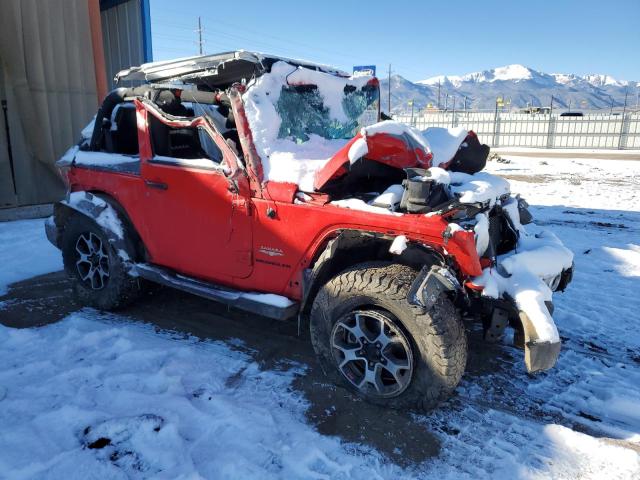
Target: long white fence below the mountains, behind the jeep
<point>506,129</point>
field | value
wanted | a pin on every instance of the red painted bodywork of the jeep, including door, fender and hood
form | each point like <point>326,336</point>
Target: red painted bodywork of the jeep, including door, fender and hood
<point>215,226</point>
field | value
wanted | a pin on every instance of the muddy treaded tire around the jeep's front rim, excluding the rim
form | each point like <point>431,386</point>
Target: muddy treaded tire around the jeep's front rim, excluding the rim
<point>437,336</point>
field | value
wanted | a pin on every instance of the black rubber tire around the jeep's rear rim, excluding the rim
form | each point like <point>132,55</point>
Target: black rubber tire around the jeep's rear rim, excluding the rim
<point>119,290</point>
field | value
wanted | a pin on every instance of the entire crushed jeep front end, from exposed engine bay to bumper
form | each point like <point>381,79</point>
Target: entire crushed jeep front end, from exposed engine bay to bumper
<point>521,263</point>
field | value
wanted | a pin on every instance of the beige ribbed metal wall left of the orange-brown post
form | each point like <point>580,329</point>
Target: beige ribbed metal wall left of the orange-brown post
<point>50,90</point>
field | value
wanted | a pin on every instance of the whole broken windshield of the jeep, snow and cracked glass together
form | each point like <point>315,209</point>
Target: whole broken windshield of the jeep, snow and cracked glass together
<point>300,117</point>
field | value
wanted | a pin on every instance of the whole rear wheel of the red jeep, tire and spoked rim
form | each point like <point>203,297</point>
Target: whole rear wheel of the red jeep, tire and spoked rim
<point>98,274</point>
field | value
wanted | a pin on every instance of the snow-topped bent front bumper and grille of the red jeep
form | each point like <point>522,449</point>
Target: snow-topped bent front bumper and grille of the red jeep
<point>525,266</point>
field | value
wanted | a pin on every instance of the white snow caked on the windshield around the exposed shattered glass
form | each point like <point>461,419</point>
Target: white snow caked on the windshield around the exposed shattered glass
<point>284,160</point>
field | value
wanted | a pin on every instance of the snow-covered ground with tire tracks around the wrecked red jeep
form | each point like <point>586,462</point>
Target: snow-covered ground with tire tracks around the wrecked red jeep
<point>179,406</point>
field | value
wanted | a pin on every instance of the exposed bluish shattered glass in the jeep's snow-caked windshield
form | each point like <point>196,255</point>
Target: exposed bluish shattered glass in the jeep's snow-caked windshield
<point>304,111</point>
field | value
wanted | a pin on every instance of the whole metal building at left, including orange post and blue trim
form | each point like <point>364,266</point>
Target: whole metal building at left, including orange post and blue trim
<point>48,80</point>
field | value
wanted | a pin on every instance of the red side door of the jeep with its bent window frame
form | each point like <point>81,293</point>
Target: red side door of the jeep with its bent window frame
<point>195,221</point>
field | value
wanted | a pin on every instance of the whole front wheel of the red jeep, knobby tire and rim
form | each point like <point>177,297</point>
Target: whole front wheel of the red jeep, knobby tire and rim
<point>369,338</point>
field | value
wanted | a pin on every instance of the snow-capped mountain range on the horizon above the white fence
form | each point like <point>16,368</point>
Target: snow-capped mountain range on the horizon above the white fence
<point>518,84</point>
